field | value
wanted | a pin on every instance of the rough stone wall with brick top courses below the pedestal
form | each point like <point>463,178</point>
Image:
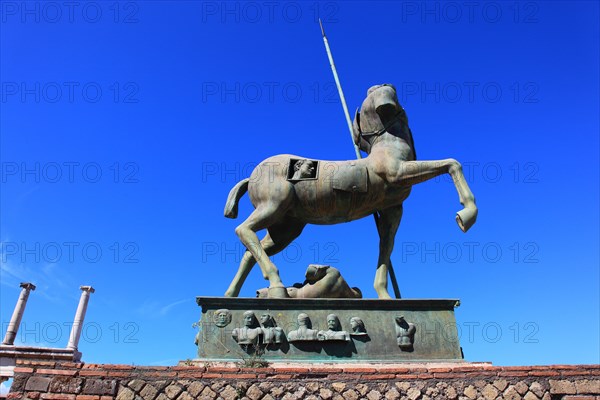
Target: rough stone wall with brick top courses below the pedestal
<point>77,381</point>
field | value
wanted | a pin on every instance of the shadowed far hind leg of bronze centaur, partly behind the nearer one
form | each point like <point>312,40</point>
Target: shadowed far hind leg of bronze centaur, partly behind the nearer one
<point>277,238</point>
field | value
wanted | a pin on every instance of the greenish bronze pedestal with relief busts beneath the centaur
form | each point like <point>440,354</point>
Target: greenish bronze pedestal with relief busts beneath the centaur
<point>426,332</point>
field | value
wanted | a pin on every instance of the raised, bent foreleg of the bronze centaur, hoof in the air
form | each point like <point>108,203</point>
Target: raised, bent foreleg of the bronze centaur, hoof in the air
<point>413,172</point>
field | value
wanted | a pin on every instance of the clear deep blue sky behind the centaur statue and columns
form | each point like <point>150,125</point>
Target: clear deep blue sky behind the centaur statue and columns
<point>125,124</point>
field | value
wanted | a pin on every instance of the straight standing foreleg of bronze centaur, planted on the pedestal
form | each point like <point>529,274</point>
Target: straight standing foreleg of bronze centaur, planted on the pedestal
<point>389,221</point>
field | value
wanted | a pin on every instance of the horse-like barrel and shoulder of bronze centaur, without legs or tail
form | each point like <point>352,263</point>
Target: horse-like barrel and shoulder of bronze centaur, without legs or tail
<point>339,191</point>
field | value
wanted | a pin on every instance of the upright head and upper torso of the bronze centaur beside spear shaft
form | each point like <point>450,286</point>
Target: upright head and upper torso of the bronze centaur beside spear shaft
<point>379,112</point>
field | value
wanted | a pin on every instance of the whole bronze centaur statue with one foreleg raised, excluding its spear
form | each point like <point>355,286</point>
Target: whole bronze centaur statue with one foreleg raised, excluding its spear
<point>289,192</point>
